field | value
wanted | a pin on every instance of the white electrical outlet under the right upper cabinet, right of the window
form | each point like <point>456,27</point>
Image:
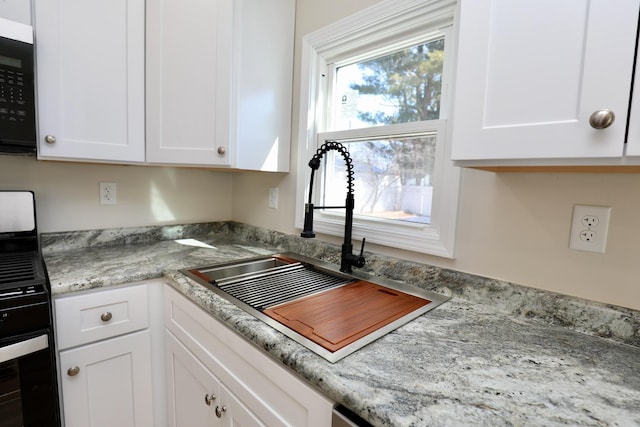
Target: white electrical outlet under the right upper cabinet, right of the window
<point>589,228</point>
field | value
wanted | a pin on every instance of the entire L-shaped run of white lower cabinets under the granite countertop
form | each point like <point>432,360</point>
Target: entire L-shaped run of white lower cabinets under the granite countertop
<point>128,360</point>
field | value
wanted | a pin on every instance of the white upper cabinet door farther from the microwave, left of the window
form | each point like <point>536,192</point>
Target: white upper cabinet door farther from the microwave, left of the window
<point>189,64</point>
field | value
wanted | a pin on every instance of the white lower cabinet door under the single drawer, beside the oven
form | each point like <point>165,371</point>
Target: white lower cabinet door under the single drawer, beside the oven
<point>108,383</point>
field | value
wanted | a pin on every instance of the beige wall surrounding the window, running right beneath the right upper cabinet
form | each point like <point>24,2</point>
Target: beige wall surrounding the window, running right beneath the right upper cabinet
<point>513,227</point>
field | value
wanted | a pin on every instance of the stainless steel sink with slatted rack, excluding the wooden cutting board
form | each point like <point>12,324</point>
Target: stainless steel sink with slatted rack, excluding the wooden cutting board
<point>259,283</point>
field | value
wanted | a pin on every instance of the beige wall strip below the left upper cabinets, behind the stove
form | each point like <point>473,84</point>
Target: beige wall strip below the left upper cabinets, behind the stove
<point>67,194</point>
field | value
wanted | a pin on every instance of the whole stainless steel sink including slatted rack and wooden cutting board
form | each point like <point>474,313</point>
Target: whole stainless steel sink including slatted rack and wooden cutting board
<point>330,312</point>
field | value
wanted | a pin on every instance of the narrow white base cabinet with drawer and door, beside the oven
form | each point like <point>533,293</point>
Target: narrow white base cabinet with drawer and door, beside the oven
<point>107,342</point>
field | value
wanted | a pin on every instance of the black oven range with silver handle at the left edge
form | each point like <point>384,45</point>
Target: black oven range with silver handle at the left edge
<point>28,385</point>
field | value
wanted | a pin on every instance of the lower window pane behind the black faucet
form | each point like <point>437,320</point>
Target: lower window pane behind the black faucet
<point>392,178</point>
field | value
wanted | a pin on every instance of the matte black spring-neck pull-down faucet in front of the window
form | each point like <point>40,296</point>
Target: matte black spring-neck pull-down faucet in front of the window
<point>347,259</point>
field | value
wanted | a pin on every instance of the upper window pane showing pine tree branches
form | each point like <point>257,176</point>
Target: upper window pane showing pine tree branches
<point>400,87</point>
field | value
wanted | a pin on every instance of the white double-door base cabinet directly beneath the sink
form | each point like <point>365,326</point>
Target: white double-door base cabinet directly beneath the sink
<point>216,378</point>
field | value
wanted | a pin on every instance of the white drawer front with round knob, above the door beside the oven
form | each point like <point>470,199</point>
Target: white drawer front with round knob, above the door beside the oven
<point>85,318</point>
